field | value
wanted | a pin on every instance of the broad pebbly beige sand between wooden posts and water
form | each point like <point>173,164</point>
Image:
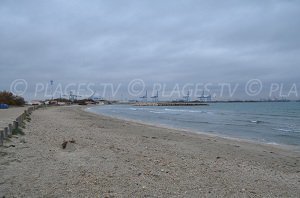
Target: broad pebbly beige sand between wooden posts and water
<point>115,158</point>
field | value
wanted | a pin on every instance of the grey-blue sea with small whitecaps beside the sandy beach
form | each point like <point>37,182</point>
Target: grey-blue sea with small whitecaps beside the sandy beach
<point>275,123</point>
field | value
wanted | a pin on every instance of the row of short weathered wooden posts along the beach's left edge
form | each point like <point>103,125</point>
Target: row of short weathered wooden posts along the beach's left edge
<point>8,131</point>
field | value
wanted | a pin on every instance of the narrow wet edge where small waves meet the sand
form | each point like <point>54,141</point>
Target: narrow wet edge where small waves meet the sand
<point>293,148</point>
